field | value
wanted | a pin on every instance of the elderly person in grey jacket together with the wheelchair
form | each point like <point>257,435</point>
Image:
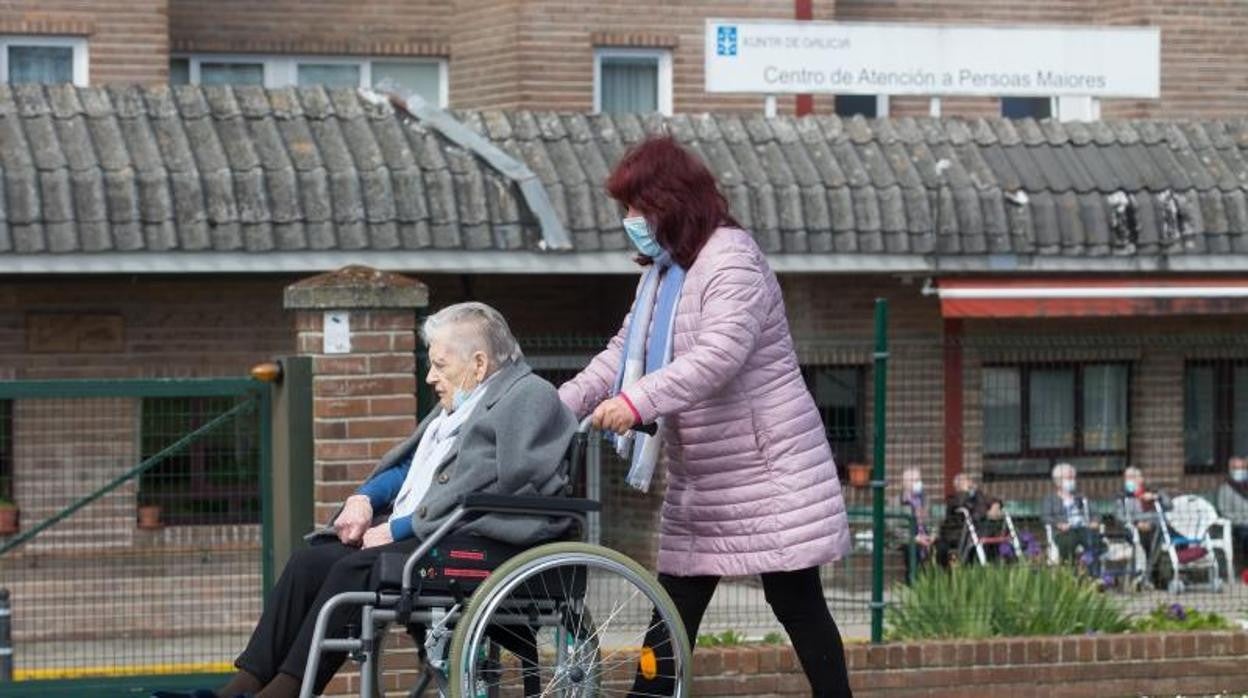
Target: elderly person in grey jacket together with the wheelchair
<point>445,540</point>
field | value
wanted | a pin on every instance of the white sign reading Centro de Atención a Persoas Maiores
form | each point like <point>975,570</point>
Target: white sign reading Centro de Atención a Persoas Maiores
<point>897,59</point>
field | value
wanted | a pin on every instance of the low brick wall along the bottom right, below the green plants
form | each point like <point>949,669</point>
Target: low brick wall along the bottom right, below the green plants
<point>1068,667</point>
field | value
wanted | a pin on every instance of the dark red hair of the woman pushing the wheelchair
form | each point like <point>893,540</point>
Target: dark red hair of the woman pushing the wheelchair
<point>676,193</point>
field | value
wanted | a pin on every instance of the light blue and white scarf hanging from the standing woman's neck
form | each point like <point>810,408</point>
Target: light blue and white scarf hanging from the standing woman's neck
<point>655,309</point>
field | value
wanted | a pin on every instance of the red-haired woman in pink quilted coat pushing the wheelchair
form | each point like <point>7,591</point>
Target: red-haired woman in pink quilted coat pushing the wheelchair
<point>707,354</point>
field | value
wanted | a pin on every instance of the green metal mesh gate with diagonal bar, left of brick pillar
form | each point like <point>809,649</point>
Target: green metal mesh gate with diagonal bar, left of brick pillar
<point>144,543</point>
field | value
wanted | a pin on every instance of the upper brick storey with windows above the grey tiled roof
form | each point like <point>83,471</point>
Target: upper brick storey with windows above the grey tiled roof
<point>570,56</point>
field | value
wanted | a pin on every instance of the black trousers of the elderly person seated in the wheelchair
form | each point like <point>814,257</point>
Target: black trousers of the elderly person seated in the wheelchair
<point>283,640</point>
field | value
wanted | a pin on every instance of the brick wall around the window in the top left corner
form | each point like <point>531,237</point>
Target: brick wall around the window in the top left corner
<point>128,41</point>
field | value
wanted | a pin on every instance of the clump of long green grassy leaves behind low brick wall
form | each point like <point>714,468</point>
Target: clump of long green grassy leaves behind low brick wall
<point>1003,601</point>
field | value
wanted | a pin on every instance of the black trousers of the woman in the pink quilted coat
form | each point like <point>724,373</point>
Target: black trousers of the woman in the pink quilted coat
<point>798,601</point>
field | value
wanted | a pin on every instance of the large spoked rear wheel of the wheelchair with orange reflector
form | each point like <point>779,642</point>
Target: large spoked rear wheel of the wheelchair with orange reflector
<point>575,621</point>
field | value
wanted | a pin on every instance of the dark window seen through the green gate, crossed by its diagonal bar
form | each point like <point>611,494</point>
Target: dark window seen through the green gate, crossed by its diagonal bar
<point>217,478</point>
